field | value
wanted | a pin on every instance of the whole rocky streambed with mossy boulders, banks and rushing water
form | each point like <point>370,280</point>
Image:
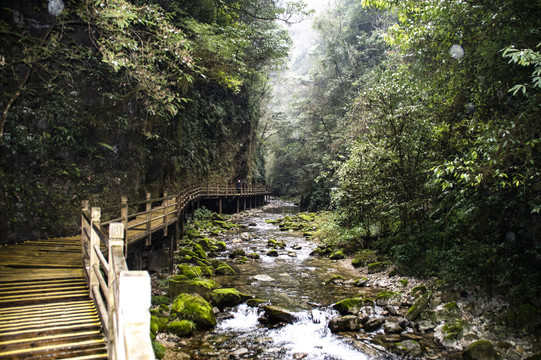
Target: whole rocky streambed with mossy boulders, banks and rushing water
<point>273,293</point>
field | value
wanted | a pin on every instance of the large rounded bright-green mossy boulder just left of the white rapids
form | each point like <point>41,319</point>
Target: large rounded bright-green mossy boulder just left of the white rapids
<point>194,308</point>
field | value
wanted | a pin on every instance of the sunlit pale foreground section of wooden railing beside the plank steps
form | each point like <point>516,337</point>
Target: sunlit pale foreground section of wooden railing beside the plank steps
<point>121,296</point>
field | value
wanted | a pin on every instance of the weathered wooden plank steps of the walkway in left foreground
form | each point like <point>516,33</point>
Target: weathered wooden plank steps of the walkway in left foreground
<point>45,309</point>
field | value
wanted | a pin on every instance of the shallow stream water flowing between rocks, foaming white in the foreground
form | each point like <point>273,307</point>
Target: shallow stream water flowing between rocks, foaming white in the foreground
<point>293,280</point>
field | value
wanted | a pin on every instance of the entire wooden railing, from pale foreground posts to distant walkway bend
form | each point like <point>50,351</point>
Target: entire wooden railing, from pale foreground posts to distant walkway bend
<point>122,296</point>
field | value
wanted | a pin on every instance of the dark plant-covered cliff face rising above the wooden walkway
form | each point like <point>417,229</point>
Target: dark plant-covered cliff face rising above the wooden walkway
<point>78,128</point>
